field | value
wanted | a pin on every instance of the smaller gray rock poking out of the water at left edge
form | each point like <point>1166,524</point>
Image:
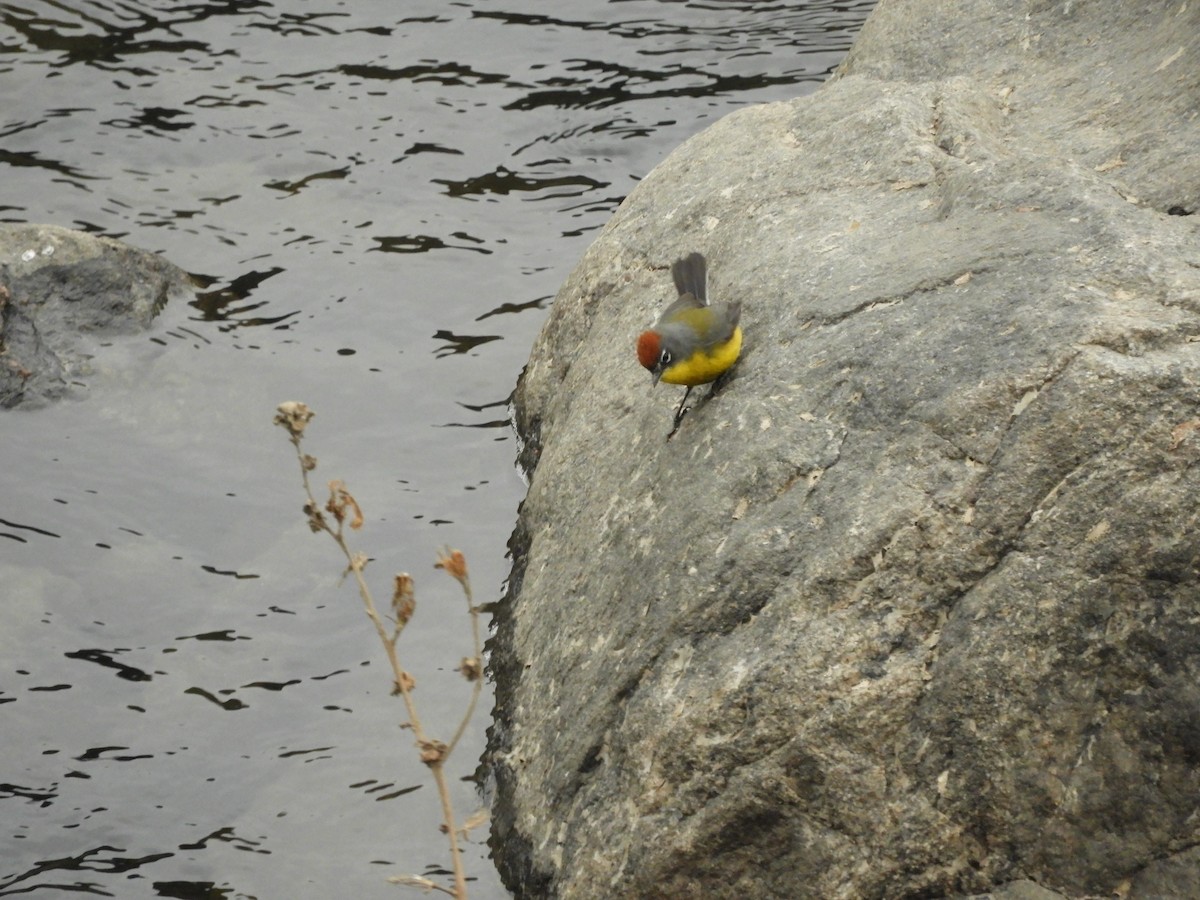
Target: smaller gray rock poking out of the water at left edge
<point>62,290</point>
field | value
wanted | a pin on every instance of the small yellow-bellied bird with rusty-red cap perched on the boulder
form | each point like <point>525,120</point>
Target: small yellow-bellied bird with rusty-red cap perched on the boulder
<point>693,343</point>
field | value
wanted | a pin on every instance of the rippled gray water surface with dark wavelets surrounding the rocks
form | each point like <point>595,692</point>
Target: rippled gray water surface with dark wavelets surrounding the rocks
<point>381,199</point>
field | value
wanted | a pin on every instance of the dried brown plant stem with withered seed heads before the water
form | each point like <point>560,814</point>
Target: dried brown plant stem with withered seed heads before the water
<point>295,417</point>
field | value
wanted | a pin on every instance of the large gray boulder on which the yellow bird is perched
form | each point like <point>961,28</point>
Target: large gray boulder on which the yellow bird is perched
<point>911,607</point>
